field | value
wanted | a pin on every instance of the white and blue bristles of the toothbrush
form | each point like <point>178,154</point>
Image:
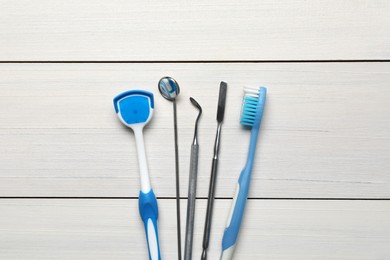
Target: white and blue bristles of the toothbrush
<point>249,106</point>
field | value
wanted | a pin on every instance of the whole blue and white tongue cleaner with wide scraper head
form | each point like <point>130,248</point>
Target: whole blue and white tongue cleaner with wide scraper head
<point>135,109</point>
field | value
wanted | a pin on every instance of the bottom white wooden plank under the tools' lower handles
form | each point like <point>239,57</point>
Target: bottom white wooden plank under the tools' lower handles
<point>102,229</point>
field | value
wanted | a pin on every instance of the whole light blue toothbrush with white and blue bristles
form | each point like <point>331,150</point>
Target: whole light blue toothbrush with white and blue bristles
<point>251,115</point>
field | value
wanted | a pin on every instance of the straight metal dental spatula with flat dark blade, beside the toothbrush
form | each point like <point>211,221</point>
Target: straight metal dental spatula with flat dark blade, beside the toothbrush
<point>210,201</point>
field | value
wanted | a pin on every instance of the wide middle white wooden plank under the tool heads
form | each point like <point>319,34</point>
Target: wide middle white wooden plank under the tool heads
<point>326,129</point>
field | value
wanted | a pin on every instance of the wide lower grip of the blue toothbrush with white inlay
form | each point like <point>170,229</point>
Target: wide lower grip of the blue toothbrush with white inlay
<point>230,235</point>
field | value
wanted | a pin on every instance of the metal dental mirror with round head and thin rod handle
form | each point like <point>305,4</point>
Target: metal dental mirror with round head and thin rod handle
<point>169,89</point>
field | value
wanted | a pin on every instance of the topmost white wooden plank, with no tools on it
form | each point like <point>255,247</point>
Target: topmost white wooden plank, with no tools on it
<point>188,30</point>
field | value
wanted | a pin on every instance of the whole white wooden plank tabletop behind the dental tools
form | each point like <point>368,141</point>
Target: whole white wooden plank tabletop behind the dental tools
<point>68,170</point>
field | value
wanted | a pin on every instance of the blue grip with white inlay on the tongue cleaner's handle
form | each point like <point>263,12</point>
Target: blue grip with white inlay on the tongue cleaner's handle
<point>149,213</point>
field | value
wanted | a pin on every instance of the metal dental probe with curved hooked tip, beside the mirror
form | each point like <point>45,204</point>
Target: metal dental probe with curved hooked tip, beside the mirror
<point>192,187</point>
